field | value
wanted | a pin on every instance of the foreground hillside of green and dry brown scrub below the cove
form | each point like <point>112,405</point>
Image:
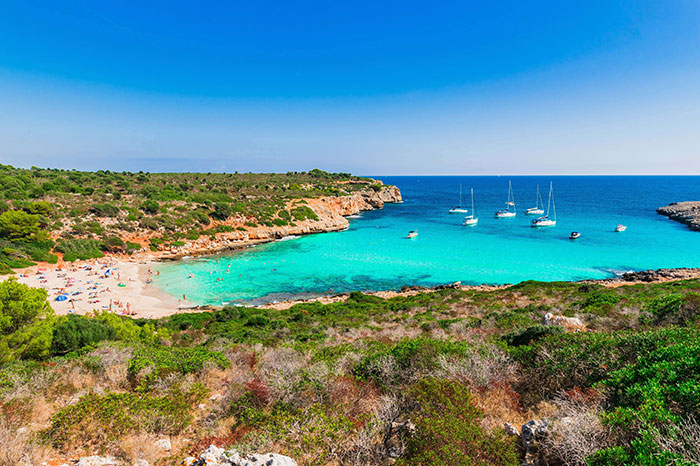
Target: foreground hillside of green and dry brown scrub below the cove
<point>428,379</point>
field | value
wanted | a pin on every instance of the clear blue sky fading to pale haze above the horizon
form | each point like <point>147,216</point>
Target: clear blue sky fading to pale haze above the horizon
<point>473,87</point>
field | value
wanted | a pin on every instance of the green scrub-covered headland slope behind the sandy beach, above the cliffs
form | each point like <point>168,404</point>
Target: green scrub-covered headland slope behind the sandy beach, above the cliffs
<point>84,214</point>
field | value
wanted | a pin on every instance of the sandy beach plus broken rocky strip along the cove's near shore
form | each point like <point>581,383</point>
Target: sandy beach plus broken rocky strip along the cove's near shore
<point>121,285</point>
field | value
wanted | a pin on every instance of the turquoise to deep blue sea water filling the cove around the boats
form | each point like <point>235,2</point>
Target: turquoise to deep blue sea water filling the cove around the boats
<point>373,254</point>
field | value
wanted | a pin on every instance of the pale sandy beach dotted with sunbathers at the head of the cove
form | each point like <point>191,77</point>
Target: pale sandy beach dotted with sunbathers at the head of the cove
<point>106,284</point>
